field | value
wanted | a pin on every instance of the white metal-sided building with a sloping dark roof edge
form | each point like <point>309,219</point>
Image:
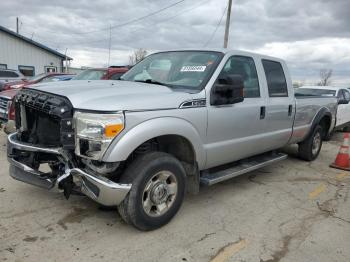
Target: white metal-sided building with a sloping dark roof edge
<point>30,57</point>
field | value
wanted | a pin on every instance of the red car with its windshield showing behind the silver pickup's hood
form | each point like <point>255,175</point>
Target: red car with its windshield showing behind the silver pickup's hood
<point>111,73</point>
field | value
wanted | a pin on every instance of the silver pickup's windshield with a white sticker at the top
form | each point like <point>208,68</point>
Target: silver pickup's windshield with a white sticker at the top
<point>181,69</point>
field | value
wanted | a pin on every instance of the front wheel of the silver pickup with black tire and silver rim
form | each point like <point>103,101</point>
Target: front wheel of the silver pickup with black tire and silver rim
<point>157,192</point>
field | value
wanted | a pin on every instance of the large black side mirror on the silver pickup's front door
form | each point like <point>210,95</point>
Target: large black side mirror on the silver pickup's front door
<point>227,90</point>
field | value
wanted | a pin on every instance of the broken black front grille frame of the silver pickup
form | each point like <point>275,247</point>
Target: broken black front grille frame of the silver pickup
<point>44,119</point>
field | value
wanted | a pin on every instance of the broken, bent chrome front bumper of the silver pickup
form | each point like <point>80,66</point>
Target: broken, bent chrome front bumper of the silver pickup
<point>98,188</point>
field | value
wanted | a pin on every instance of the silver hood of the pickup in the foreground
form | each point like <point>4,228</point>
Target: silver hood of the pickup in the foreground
<point>104,95</point>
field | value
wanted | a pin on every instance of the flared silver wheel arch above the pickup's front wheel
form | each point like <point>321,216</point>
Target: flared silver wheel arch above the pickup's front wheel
<point>122,147</point>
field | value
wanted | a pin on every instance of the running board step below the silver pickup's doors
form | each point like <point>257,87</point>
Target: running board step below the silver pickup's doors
<point>217,175</point>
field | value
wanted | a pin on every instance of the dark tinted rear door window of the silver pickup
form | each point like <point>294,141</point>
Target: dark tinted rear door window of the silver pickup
<point>276,80</point>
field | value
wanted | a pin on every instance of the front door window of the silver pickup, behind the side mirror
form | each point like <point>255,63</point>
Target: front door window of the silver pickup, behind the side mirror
<point>245,67</point>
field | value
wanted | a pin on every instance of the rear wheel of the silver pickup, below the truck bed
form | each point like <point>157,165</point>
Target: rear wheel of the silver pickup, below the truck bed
<point>310,148</point>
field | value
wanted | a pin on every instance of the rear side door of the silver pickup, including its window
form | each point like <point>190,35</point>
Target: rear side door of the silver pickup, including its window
<point>280,104</point>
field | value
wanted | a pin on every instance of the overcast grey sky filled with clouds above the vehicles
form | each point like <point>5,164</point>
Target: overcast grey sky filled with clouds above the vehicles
<point>309,34</point>
